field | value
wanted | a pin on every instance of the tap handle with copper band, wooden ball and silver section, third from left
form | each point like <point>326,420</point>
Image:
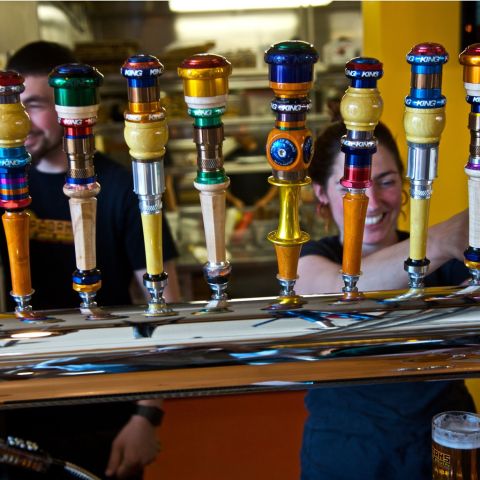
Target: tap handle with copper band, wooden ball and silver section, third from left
<point>146,134</point>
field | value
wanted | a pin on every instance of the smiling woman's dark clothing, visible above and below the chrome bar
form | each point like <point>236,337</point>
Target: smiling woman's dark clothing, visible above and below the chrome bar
<point>377,432</point>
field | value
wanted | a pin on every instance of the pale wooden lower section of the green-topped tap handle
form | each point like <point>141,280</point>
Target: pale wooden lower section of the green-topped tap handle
<point>84,213</point>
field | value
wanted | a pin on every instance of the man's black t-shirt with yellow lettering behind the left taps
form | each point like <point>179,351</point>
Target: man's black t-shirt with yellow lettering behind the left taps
<point>119,238</point>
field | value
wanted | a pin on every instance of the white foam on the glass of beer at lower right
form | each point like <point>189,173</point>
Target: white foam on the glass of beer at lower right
<point>460,430</point>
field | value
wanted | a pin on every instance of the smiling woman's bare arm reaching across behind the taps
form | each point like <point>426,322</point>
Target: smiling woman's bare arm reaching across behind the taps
<point>383,269</point>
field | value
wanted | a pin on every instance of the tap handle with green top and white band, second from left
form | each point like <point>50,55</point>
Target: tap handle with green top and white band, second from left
<point>76,102</point>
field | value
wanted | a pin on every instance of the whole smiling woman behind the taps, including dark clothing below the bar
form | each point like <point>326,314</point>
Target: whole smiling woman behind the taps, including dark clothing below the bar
<point>383,430</point>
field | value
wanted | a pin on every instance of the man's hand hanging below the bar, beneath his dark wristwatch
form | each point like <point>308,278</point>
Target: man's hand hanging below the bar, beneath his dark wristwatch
<point>134,447</point>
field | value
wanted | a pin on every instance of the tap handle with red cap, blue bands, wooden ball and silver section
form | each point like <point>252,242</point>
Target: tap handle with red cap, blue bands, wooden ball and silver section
<point>424,121</point>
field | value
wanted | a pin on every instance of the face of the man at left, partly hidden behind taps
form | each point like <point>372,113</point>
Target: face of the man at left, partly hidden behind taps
<point>46,134</point>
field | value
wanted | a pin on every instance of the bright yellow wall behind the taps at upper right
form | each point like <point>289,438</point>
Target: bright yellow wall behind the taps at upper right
<point>390,31</point>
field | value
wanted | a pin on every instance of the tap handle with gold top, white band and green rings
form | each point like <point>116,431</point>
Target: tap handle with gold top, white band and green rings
<point>205,85</point>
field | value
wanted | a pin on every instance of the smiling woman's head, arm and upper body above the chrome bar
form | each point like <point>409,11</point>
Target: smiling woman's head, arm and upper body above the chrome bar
<point>384,247</point>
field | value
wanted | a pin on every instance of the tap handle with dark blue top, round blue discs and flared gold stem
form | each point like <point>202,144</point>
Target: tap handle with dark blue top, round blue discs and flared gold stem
<point>289,152</point>
